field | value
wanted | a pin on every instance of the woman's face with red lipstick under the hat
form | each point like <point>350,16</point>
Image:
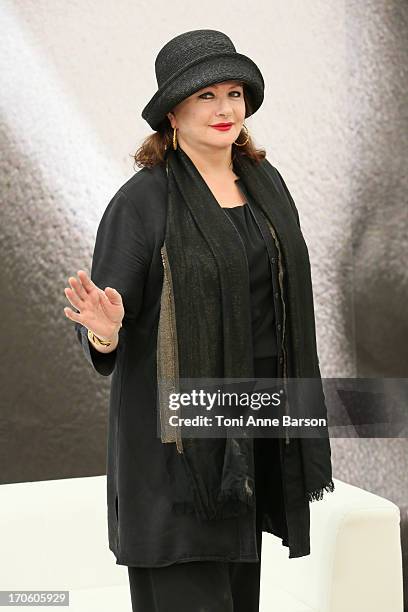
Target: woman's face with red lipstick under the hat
<point>219,103</point>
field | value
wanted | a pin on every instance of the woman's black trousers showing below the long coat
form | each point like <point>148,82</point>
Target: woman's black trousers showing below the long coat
<point>206,586</point>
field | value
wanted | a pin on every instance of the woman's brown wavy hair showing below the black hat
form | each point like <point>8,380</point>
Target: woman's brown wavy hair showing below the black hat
<point>153,149</point>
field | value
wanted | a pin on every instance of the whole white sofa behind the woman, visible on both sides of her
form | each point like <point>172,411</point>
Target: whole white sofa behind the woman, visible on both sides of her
<point>53,535</point>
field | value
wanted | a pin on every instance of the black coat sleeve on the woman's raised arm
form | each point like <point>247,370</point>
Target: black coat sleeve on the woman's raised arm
<point>121,260</point>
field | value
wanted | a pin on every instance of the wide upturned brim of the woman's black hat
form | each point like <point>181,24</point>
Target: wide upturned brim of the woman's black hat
<point>206,72</point>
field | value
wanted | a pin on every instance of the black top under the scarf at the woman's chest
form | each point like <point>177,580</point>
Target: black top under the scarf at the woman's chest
<point>261,287</point>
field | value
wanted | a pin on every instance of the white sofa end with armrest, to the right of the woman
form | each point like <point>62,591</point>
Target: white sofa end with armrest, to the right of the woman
<point>355,562</point>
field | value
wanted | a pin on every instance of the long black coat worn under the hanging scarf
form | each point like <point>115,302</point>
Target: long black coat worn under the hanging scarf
<point>143,531</point>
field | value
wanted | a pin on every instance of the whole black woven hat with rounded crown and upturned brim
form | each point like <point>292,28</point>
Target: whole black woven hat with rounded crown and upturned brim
<point>194,60</point>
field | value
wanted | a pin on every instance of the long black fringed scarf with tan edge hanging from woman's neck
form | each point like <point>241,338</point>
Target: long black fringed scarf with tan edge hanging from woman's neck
<point>212,335</point>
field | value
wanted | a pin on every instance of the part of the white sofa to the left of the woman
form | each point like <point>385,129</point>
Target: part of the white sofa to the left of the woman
<point>54,535</point>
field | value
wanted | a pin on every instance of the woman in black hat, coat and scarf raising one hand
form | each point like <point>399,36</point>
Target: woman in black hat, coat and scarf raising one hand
<point>200,270</point>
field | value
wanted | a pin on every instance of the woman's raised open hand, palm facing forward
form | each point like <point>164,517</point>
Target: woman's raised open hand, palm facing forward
<point>101,311</point>
